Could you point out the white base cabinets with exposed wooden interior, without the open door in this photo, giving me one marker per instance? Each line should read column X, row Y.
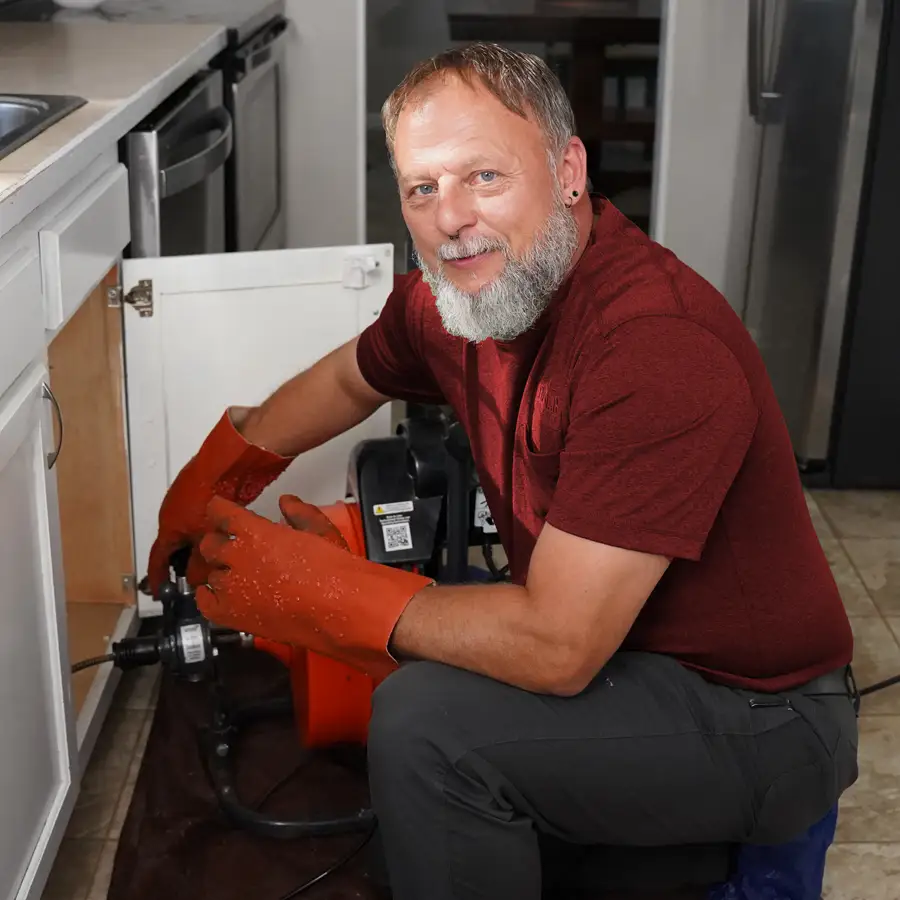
column 66, row 555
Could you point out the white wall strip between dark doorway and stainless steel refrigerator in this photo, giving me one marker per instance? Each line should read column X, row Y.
column 707, row 144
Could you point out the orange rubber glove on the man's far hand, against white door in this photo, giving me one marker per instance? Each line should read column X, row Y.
column 226, row 465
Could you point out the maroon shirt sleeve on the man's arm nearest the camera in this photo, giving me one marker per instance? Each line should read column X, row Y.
column 661, row 416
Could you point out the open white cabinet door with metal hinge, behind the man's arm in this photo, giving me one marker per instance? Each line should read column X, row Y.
column 206, row 332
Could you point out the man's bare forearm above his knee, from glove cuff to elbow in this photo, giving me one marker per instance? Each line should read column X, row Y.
column 495, row 630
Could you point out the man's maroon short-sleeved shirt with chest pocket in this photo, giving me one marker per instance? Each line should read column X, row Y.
column 638, row 413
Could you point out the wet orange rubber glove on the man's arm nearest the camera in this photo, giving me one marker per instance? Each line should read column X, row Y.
column 298, row 588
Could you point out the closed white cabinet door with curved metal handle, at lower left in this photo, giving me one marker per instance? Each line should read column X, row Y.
column 36, row 746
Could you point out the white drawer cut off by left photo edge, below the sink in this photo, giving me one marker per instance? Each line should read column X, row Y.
column 21, row 314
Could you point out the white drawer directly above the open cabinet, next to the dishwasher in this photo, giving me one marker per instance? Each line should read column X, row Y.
column 81, row 245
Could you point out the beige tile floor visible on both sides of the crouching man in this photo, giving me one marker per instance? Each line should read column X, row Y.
column 861, row 534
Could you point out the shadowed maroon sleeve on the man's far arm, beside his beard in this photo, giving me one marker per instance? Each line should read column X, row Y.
column 391, row 353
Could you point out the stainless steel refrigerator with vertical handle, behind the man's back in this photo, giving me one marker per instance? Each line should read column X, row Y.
column 811, row 87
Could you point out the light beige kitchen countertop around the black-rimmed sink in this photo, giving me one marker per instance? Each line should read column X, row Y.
column 123, row 71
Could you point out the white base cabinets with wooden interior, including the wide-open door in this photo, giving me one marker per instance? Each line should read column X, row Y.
column 126, row 390
